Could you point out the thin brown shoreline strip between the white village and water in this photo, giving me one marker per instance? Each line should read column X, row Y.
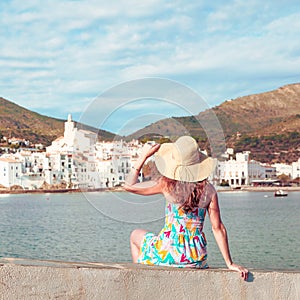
column 120, row 189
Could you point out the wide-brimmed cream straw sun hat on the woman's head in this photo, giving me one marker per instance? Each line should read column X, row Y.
column 183, row 161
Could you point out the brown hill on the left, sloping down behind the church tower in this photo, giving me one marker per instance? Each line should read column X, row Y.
column 17, row 121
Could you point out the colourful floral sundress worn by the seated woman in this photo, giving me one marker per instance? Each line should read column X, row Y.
column 181, row 242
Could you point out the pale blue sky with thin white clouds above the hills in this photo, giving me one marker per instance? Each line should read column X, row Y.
column 59, row 57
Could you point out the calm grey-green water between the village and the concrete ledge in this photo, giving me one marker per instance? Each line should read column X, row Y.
column 263, row 230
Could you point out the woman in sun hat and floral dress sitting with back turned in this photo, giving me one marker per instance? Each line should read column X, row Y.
column 189, row 195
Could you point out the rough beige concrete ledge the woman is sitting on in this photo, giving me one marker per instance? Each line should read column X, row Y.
column 30, row 279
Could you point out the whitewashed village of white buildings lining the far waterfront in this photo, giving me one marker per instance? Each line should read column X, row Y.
column 77, row 160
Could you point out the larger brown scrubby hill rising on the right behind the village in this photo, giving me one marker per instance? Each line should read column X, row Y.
column 267, row 124
